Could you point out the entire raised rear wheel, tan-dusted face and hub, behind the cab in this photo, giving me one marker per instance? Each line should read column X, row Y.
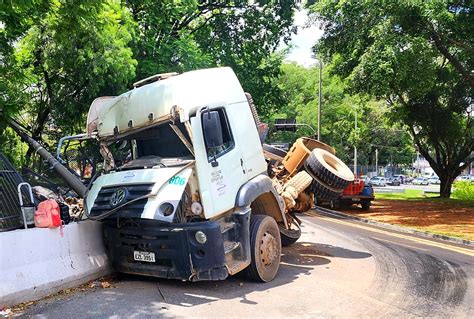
column 329, row 169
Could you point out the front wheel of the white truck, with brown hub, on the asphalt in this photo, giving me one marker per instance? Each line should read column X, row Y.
column 260, row 269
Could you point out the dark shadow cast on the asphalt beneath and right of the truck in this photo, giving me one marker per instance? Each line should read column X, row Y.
column 297, row 260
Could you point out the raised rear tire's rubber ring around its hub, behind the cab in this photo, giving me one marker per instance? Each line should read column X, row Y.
column 324, row 174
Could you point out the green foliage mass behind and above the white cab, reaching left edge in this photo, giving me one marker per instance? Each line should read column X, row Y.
column 58, row 55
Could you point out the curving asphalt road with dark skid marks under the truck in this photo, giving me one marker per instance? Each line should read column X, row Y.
column 338, row 269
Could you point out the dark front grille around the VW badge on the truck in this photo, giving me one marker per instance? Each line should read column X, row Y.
column 135, row 209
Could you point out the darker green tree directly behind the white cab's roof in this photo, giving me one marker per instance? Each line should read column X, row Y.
column 185, row 35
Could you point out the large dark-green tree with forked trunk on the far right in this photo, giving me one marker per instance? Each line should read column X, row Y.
column 419, row 57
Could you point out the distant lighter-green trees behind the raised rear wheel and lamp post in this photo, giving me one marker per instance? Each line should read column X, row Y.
column 300, row 92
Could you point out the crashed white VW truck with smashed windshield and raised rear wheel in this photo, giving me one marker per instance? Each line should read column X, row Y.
column 189, row 191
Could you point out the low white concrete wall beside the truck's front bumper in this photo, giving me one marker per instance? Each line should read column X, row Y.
column 37, row 262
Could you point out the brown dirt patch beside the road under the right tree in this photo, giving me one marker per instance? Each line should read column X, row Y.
column 434, row 215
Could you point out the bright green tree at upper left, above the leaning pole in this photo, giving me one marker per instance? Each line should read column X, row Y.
column 72, row 54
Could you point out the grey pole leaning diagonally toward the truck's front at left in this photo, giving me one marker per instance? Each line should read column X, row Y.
column 73, row 181
